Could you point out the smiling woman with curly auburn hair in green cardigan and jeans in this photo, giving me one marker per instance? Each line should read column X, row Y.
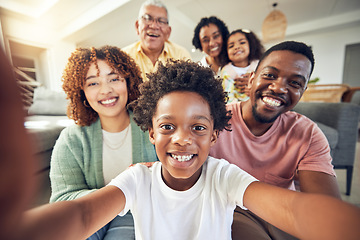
column 100, row 83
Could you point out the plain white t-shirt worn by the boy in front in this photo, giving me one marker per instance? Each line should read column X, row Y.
column 205, row 211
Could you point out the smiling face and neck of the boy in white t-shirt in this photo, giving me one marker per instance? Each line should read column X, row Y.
column 182, row 132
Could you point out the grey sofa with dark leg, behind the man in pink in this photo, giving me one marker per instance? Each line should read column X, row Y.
column 340, row 124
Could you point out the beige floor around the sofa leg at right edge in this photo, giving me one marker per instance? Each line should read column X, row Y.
column 354, row 197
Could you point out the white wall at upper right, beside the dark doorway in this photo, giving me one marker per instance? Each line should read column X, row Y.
column 329, row 50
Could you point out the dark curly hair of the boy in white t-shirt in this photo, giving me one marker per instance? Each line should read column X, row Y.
column 181, row 75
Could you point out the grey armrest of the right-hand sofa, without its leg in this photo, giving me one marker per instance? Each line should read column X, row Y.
column 344, row 117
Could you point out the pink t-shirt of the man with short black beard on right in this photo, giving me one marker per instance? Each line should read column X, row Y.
column 292, row 143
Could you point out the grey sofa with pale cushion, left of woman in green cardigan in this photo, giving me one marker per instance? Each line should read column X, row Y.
column 45, row 120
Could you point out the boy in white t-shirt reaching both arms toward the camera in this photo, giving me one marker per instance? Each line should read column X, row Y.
column 189, row 195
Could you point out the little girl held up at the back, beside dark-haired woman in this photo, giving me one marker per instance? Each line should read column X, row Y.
column 244, row 50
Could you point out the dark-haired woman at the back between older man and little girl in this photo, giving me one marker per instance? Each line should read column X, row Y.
column 209, row 36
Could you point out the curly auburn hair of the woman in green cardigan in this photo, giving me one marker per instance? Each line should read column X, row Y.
column 75, row 74
